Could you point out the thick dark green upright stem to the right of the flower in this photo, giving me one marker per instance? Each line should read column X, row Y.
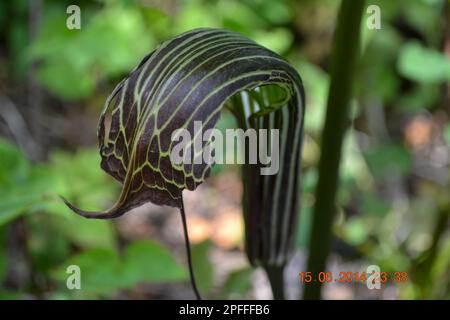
column 343, row 62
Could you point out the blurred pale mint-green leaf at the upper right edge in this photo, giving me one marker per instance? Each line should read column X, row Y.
column 422, row 64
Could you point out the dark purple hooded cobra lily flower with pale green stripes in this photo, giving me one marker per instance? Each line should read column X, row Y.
column 192, row 77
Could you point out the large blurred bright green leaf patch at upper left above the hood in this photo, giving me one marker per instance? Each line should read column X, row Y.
column 72, row 62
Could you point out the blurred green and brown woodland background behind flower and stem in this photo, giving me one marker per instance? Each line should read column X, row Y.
column 394, row 196
